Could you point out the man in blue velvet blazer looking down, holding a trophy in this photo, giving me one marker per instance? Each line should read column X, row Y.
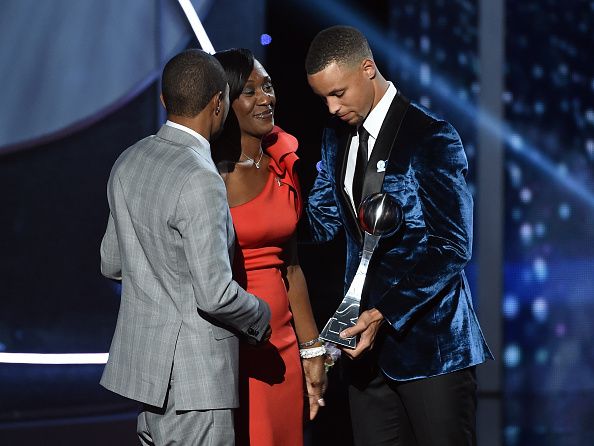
column 412, row 375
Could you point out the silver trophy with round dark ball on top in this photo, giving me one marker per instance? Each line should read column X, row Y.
column 379, row 214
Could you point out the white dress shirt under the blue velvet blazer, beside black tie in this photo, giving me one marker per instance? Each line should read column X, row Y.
column 373, row 124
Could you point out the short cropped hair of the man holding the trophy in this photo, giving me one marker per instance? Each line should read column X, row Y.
column 343, row 45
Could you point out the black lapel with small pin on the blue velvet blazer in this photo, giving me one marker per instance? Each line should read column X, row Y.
column 378, row 162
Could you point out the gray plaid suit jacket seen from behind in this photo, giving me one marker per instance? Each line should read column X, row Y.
column 169, row 238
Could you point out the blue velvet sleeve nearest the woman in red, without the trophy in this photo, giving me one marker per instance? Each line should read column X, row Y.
column 322, row 210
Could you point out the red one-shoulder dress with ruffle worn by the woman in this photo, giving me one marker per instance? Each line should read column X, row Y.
column 271, row 388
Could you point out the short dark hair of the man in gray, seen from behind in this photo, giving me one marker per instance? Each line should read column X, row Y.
column 190, row 80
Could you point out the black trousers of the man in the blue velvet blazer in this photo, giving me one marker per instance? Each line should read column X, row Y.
column 437, row 411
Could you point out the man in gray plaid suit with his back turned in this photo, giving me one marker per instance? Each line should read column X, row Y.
column 169, row 238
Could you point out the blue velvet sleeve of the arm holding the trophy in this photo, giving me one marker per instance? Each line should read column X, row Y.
column 440, row 167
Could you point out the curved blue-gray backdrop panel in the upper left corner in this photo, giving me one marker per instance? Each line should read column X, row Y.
column 64, row 61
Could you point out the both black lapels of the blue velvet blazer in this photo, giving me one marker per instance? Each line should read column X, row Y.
column 374, row 175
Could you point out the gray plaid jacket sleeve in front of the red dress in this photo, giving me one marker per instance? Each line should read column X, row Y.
column 202, row 217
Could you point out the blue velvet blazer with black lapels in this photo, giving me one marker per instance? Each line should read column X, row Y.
column 416, row 277
